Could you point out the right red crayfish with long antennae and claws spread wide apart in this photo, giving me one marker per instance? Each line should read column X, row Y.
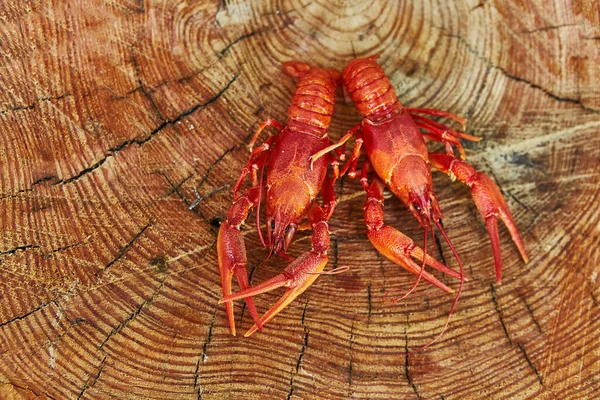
column 395, row 148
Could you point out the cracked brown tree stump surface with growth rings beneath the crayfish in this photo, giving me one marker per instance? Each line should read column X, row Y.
column 112, row 112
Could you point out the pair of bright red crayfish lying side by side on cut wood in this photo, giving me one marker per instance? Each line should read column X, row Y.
column 297, row 161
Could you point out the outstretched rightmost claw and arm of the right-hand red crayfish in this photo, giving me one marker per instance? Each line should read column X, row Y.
column 489, row 201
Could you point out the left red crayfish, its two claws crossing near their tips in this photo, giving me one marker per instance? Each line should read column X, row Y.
column 289, row 189
